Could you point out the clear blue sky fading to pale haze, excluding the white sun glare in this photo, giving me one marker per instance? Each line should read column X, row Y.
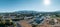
column 34, row 5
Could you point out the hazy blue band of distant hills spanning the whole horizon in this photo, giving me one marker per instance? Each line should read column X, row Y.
column 30, row 12
